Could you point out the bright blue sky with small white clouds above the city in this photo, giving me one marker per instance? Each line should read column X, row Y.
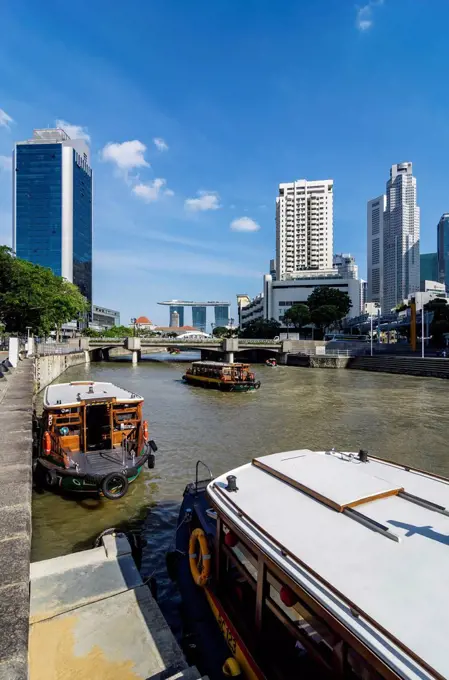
column 239, row 95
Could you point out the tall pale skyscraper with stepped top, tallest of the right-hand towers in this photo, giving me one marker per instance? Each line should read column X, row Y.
column 401, row 237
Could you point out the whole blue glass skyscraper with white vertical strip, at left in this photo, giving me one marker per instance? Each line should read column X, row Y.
column 52, row 205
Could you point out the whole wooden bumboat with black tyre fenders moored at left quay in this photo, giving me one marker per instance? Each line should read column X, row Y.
column 92, row 438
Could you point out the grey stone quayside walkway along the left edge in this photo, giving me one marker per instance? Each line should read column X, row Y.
column 16, row 392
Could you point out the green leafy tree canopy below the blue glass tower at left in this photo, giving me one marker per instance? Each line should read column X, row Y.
column 32, row 296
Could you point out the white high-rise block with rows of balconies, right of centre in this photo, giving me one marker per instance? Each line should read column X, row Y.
column 304, row 226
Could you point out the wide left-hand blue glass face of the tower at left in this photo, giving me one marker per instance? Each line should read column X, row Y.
column 38, row 206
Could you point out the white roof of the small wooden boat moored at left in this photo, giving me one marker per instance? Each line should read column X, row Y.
column 69, row 394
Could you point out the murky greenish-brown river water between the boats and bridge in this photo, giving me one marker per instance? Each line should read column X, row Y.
column 402, row 418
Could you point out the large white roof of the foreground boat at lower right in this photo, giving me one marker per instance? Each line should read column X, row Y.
column 369, row 540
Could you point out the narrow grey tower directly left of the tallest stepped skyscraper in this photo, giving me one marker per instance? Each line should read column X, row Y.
column 375, row 249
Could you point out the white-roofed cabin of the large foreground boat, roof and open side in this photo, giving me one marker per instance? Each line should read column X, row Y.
column 332, row 559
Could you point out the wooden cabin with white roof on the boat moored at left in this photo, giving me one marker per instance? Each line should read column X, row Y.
column 89, row 416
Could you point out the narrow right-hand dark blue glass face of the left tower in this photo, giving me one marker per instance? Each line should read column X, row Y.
column 82, row 226
